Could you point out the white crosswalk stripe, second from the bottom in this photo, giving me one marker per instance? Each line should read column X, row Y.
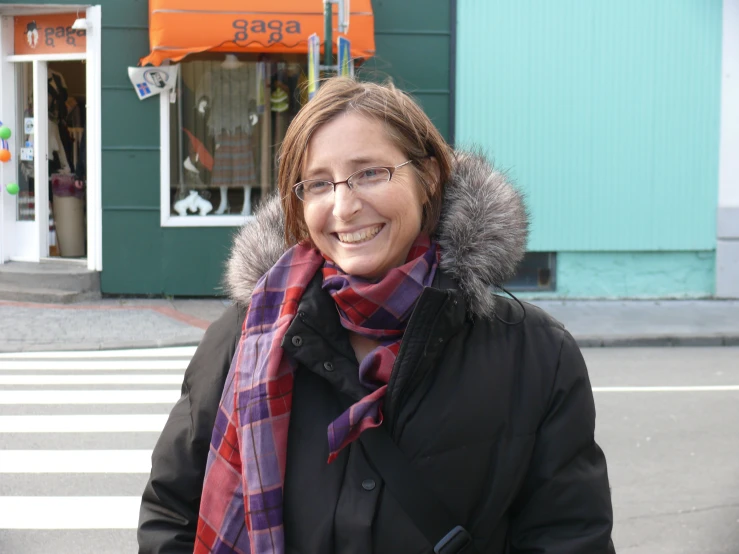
column 75, row 461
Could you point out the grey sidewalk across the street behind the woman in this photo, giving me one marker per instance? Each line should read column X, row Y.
column 113, row 323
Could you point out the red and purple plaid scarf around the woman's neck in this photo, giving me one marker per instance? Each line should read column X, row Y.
column 241, row 504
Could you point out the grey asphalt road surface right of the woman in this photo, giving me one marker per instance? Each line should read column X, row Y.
column 673, row 453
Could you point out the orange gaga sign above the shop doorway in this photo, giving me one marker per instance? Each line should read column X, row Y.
column 48, row 34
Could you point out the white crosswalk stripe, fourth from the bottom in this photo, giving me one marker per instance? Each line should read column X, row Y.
column 89, row 396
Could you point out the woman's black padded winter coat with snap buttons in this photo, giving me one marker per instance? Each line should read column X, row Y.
column 497, row 419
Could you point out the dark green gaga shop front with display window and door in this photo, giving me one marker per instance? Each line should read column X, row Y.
column 172, row 177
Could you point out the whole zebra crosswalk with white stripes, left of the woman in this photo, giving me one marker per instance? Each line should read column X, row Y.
column 38, row 379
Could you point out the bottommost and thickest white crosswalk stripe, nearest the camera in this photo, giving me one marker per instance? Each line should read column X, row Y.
column 69, row 512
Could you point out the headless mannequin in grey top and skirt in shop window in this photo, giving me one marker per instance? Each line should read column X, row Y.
column 225, row 91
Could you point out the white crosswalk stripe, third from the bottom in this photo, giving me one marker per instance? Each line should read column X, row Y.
column 93, row 423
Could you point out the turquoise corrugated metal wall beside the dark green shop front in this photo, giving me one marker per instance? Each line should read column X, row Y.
column 606, row 113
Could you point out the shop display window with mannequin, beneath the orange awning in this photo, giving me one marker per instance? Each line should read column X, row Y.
column 225, row 128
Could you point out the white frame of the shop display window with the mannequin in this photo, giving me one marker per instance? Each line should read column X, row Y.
column 167, row 218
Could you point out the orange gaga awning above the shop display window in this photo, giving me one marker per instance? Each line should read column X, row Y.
column 181, row 27
